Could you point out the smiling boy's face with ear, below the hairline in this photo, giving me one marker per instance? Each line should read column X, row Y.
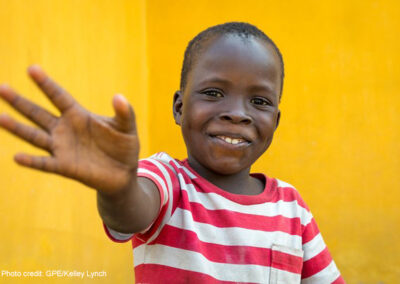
column 228, row 110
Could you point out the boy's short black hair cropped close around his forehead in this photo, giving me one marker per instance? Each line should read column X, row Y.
column 241, row 29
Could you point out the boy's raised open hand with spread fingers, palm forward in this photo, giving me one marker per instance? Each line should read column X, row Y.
column 99, row 151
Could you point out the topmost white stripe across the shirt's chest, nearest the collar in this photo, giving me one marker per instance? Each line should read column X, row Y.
column 214, row 201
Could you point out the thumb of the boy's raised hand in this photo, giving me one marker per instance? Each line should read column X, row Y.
column 124, row 114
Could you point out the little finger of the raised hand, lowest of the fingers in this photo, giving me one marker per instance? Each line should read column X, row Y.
column 42, row 163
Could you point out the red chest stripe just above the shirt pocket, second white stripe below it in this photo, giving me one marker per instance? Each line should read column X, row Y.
column 226, row 218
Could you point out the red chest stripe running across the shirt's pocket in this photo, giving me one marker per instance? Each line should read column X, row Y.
column 188, row 240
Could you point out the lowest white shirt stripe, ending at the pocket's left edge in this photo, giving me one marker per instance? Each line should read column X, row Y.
column 194, row 261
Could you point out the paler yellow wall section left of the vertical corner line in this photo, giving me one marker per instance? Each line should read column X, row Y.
column 95, row 49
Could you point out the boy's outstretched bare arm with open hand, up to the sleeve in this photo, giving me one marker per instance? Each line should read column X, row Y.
column 101, row 152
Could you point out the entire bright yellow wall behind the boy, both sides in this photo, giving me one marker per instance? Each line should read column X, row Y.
column 336, row 142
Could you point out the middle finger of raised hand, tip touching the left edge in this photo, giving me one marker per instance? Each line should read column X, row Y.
column 30, row 110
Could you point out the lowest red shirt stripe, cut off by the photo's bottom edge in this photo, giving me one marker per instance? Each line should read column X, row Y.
column 153, row 273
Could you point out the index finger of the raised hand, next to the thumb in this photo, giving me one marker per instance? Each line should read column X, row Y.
column 57, row 95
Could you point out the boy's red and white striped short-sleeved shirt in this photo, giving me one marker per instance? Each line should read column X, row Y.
column 204, row 234
